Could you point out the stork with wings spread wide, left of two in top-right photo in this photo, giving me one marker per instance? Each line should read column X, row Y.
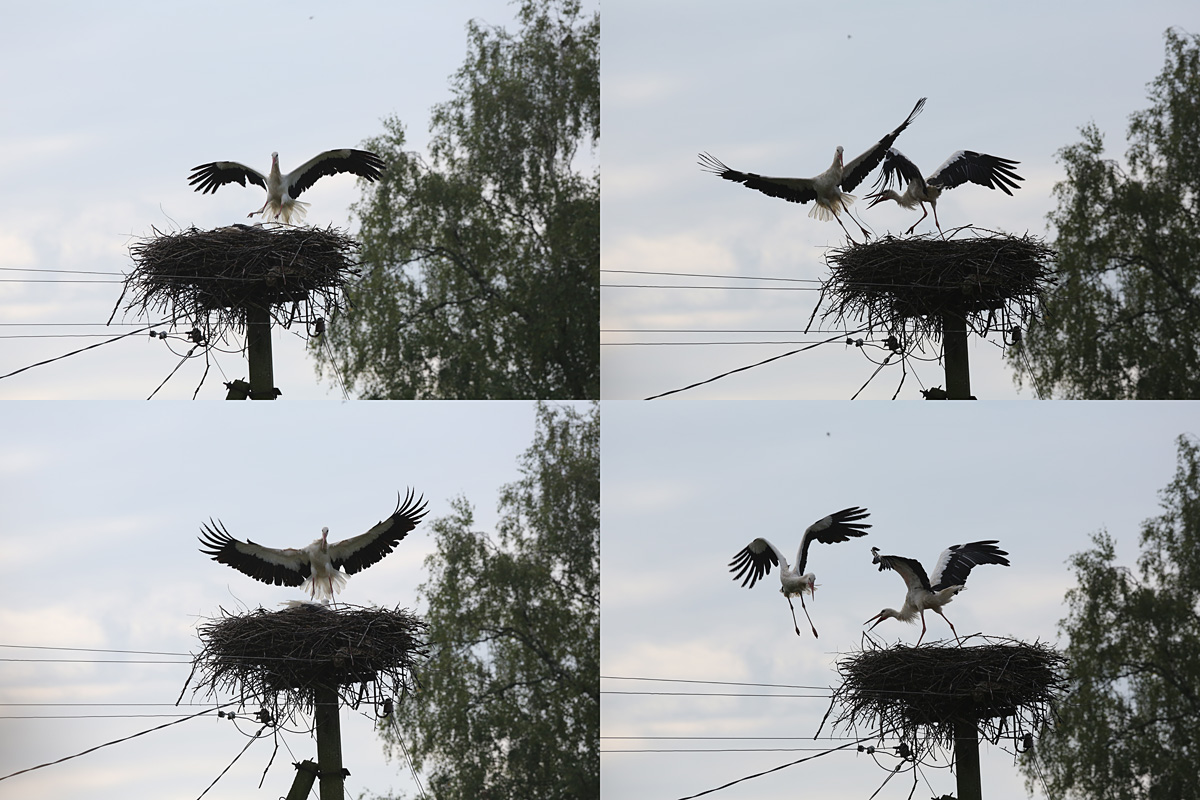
column 830, row 189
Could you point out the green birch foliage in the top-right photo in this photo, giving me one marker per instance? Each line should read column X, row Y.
column 1125, row 321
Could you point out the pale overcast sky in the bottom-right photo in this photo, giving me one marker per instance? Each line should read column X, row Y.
column 687, row 486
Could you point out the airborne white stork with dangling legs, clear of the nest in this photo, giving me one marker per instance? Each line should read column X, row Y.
column 755, row 560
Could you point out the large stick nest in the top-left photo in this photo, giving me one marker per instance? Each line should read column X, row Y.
column 213, row 276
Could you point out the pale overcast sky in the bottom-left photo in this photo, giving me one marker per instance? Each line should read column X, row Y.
column 100, row 509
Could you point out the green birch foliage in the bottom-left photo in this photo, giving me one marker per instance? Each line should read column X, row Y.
column 509, row 705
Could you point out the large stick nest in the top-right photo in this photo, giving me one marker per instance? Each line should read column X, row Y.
column 904, row 286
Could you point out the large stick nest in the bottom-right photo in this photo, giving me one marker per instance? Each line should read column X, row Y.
column 917, row 694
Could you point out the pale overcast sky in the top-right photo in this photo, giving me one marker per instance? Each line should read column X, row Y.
column 773, row 88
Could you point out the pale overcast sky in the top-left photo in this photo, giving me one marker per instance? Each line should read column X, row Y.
column 105, row 109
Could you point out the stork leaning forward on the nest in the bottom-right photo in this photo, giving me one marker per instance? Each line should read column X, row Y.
column 950, row 579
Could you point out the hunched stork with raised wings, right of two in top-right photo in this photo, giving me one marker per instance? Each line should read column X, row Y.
column 965, row 166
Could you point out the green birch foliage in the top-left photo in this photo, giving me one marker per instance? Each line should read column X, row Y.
column 483, row 269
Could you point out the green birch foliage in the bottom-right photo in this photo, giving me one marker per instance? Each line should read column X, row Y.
column 1131, row 726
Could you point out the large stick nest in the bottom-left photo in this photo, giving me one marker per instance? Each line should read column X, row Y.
column 277, row 659
